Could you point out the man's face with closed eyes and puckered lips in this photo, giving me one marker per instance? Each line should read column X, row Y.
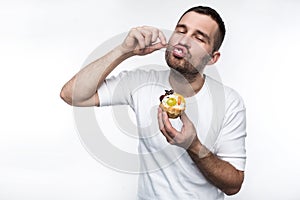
column 190, row 47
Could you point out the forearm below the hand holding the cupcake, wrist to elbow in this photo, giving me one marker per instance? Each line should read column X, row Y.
column 220, row 173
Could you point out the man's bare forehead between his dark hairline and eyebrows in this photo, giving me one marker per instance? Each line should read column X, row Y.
column 196, row 21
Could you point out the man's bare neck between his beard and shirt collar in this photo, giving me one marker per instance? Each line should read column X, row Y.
column 186, row 87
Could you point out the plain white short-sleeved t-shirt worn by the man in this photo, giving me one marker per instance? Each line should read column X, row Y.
column 167, row 171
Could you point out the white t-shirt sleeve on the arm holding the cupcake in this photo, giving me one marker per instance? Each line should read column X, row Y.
column 231, row 142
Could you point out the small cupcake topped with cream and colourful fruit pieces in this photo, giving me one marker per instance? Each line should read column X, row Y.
column 173, row 103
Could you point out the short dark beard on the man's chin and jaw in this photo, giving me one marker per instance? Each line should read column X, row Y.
column 183, row 67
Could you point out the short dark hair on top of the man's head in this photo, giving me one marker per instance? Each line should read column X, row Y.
column 216, row 17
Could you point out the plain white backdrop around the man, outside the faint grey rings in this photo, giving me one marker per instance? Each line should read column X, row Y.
column 43, row 43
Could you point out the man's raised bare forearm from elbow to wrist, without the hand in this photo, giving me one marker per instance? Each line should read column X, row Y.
column 83, row 86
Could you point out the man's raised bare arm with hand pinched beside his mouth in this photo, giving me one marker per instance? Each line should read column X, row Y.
column 81, row 89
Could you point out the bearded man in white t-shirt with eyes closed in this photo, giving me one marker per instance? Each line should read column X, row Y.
column 195, row 169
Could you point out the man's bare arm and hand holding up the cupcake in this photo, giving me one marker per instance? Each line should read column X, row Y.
column 219, row 172
